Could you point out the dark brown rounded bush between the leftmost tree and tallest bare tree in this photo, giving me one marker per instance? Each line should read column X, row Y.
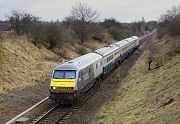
column 46, row 34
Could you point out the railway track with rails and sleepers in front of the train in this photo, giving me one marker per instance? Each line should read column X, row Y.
column 61, row 113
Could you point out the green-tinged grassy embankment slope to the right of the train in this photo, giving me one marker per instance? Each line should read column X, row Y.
column 147, row 96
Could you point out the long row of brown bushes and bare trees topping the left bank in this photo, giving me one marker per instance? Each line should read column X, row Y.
column 80, row 26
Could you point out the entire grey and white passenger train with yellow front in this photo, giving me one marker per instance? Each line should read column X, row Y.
column 72, row 79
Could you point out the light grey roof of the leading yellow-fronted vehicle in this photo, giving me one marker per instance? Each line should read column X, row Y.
column 80, row 62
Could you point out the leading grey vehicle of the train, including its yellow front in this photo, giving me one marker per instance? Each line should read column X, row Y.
column 73, row 78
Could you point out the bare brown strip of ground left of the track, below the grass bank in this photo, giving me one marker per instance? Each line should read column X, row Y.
column 18, row 101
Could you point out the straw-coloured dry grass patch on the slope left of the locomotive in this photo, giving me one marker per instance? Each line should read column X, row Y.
column 23, row 65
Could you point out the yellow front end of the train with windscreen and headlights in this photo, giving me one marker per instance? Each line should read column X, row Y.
column 63, row 85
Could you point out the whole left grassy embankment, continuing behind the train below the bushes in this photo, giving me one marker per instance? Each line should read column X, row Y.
column 24, row 65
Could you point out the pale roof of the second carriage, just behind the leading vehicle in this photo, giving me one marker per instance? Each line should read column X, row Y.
column 106, row 50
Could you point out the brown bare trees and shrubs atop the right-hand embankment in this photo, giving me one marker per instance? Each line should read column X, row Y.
column 168, row 32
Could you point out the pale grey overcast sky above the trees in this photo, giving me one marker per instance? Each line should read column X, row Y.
column 122, row 10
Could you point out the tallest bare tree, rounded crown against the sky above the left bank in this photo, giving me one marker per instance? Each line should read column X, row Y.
column 81, row 16
